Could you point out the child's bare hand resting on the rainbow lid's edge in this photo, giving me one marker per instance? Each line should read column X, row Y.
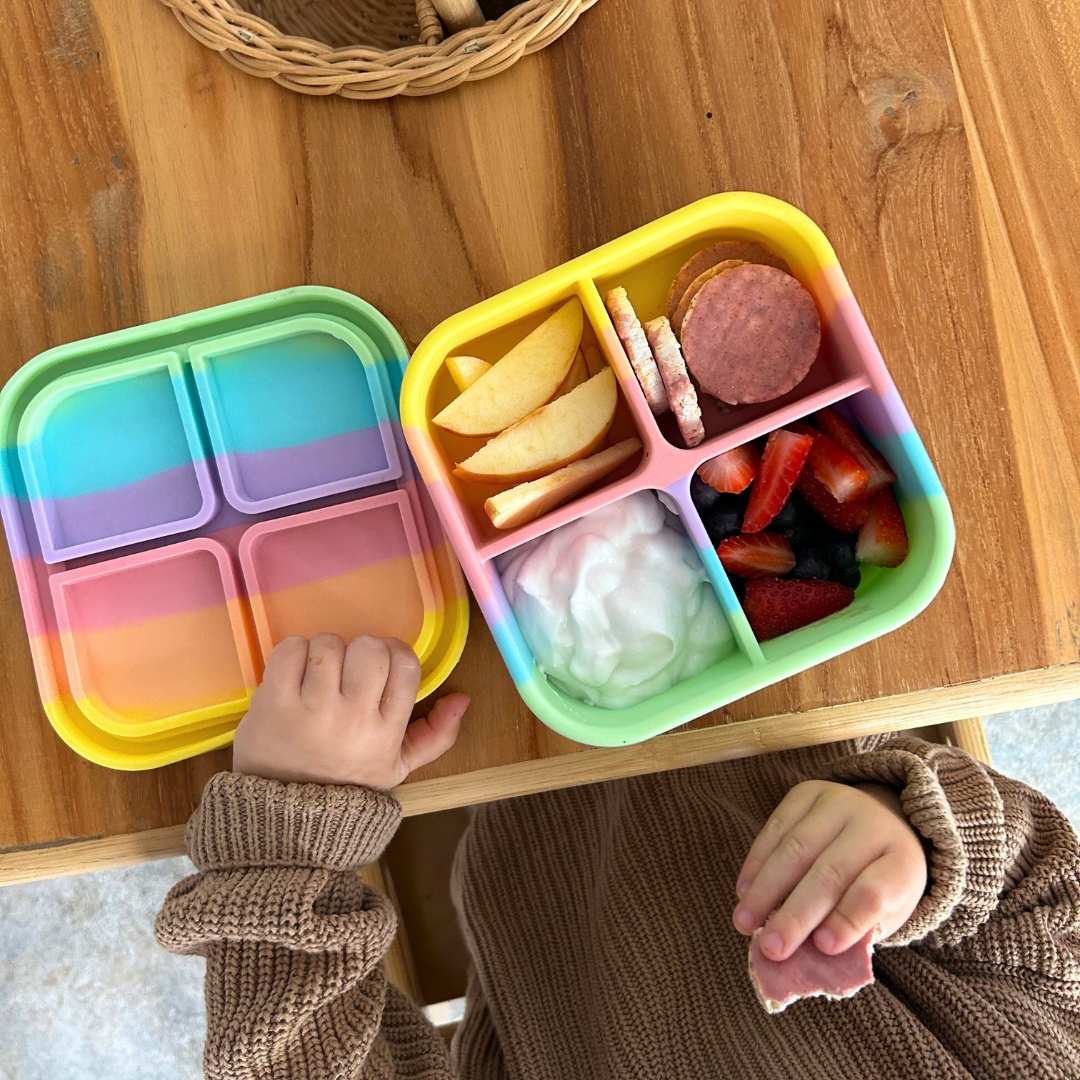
column 327, row 714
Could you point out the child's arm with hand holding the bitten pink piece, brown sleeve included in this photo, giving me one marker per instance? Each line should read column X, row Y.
column 992, row 917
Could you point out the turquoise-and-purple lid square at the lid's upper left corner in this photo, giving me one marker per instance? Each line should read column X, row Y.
column 112, row 457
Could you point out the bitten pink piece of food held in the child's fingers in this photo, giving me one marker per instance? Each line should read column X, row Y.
column 808, row 974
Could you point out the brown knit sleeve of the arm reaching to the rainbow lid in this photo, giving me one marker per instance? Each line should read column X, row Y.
column 293, row 939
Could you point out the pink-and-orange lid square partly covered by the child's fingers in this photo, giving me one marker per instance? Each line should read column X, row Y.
column 350, row 570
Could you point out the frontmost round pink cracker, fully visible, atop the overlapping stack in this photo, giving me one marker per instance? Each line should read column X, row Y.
column 751, row 335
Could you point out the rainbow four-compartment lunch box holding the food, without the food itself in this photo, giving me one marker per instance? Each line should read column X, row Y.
column 849, row 374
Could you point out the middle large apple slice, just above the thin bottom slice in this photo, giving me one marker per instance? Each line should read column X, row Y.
column 564, row 431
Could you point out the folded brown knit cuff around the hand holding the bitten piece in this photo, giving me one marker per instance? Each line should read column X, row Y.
column 952, row 803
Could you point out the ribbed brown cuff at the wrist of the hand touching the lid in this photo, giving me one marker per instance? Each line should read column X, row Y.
column 248, row 821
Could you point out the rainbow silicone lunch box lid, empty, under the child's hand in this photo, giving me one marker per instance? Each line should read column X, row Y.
column 179, row 497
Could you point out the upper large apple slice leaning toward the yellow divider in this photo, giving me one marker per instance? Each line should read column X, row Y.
column 526, row 379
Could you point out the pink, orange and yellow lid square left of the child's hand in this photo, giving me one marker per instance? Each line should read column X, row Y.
column 156, row 641
